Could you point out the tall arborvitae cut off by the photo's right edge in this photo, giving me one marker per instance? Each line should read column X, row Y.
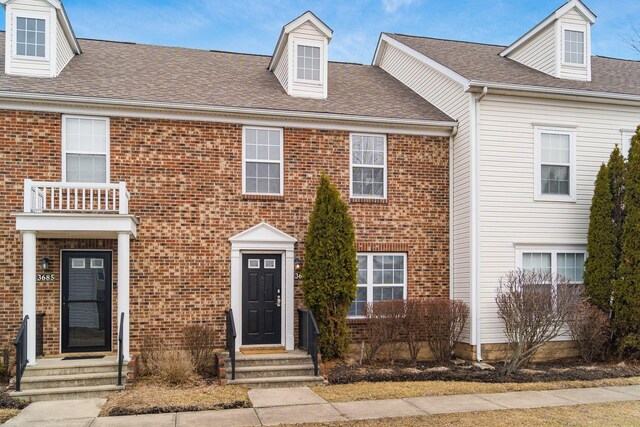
column 627, row 289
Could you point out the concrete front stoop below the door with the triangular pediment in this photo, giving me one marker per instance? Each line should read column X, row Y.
column 289, row 369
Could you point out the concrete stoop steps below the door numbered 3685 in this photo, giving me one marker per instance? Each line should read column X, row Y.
column 57, row 379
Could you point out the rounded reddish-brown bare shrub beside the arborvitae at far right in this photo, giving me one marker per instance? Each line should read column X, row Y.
column 591, row 329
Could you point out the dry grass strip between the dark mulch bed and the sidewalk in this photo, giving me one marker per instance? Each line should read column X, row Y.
column 400, row 390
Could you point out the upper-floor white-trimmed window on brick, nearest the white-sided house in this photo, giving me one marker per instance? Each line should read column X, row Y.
column 368, row 166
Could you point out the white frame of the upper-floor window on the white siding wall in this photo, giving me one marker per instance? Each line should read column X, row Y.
column 537, row 172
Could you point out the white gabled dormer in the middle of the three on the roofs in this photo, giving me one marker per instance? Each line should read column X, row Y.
column 301, row 57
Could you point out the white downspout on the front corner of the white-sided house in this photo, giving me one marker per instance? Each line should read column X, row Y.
column 476, row 219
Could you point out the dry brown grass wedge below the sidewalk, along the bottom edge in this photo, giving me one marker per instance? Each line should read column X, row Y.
column 609, row 414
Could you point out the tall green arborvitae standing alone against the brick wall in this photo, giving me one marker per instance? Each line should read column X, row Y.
column 330, row 269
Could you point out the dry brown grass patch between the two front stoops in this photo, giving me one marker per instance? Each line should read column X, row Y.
column 147, row 397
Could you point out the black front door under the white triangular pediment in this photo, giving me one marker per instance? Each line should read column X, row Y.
column 261, row 299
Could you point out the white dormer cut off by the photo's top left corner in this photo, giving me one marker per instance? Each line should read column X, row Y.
column 39, row 40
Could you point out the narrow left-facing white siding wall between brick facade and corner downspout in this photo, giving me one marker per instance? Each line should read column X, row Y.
column 450, row 97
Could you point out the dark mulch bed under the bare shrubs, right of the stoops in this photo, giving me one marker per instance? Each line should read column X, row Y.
column 564, row 370
